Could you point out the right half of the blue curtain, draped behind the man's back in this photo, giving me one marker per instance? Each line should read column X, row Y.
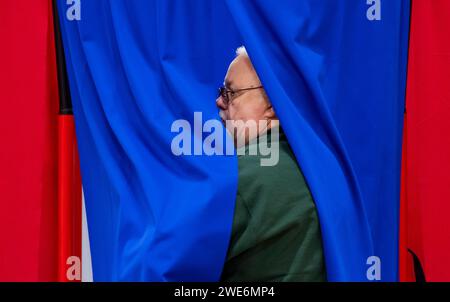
column 337, row 82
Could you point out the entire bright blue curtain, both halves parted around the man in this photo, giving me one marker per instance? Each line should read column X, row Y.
column 335, row 78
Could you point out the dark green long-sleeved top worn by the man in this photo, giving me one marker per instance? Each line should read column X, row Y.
column 275, row 234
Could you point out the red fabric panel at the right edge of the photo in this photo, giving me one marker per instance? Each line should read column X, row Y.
column 425, row 205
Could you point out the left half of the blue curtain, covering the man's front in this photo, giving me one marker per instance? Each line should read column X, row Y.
column 135, row 67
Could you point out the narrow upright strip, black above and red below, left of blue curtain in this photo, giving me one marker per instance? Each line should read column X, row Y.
column 69, row 179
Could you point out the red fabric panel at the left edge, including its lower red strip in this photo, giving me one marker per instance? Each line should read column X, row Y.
column 39, row 179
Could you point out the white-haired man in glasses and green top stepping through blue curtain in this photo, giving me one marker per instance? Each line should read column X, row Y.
column 275, row 233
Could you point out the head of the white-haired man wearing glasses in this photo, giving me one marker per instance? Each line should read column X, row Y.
column 244, row 100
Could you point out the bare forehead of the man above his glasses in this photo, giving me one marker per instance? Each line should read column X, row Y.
column 240, row 72
